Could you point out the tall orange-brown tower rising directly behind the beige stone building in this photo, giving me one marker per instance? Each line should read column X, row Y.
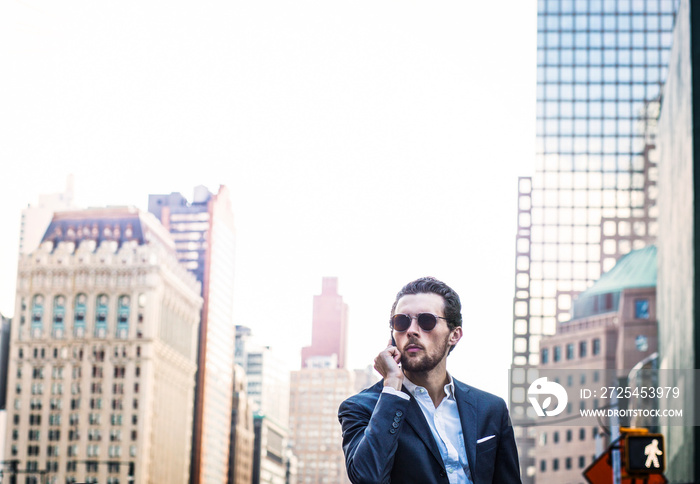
column 204, row 237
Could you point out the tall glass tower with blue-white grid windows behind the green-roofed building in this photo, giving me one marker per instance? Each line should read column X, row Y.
column 601, row 68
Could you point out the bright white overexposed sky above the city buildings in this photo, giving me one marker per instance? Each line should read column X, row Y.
column 376, row 142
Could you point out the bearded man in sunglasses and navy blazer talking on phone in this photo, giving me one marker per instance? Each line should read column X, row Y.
column 420, row 425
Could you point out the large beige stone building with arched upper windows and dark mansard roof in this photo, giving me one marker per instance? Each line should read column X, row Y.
column 103, row 355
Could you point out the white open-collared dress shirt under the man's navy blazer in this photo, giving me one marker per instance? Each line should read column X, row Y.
column 446, row 427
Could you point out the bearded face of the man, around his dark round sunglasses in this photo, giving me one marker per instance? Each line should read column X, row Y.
column 422, row 351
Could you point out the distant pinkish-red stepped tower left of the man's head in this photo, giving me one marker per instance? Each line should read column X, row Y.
column 329, row 332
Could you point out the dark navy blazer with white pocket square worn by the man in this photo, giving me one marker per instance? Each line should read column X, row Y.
column 387, row 439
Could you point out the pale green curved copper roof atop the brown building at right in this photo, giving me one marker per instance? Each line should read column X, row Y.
column 636, row 269
